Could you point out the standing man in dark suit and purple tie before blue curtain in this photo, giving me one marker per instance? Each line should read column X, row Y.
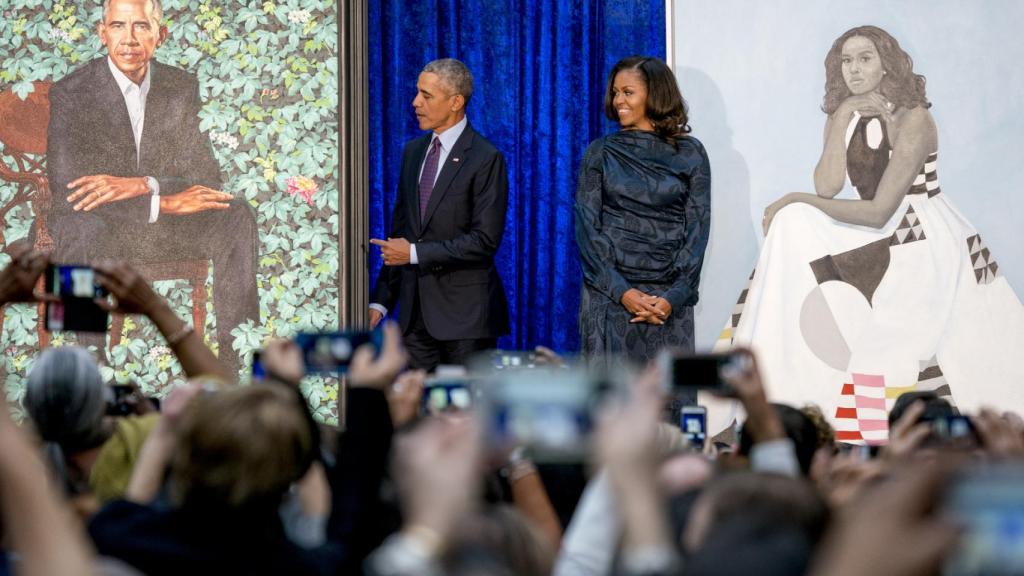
column 448, row 225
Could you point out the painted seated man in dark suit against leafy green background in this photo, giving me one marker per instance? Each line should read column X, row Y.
column 133, row 176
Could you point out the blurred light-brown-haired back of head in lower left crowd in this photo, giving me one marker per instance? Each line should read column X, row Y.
column 241, row 448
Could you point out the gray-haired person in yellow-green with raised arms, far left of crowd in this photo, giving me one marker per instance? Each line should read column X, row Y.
column 66, row 399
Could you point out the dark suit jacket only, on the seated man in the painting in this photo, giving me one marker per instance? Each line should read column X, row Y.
column 91, row 134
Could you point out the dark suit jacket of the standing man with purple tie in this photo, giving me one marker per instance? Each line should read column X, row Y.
column 459, row 291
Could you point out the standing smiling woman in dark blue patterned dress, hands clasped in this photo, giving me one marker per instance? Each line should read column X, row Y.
column 643, row 219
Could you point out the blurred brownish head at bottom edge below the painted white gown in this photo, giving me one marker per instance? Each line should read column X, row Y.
column 774, row 520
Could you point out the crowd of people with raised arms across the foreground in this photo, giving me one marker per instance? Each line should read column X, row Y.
column 235, row 479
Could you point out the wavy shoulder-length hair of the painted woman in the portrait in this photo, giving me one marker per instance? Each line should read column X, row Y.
column 900, row 85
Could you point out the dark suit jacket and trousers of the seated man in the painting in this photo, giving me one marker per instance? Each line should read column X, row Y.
column 91, row 134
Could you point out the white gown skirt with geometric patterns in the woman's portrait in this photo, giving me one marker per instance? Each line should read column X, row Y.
column 849, row 317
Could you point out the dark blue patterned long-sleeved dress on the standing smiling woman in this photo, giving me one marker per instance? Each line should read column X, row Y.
column 643, row 220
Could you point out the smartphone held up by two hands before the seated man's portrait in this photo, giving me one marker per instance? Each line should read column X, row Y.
column 77, row 289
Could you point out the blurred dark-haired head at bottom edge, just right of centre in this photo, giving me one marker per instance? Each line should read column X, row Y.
column 498, row 542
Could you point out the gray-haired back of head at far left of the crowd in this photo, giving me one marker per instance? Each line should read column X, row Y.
column 66, row 401
